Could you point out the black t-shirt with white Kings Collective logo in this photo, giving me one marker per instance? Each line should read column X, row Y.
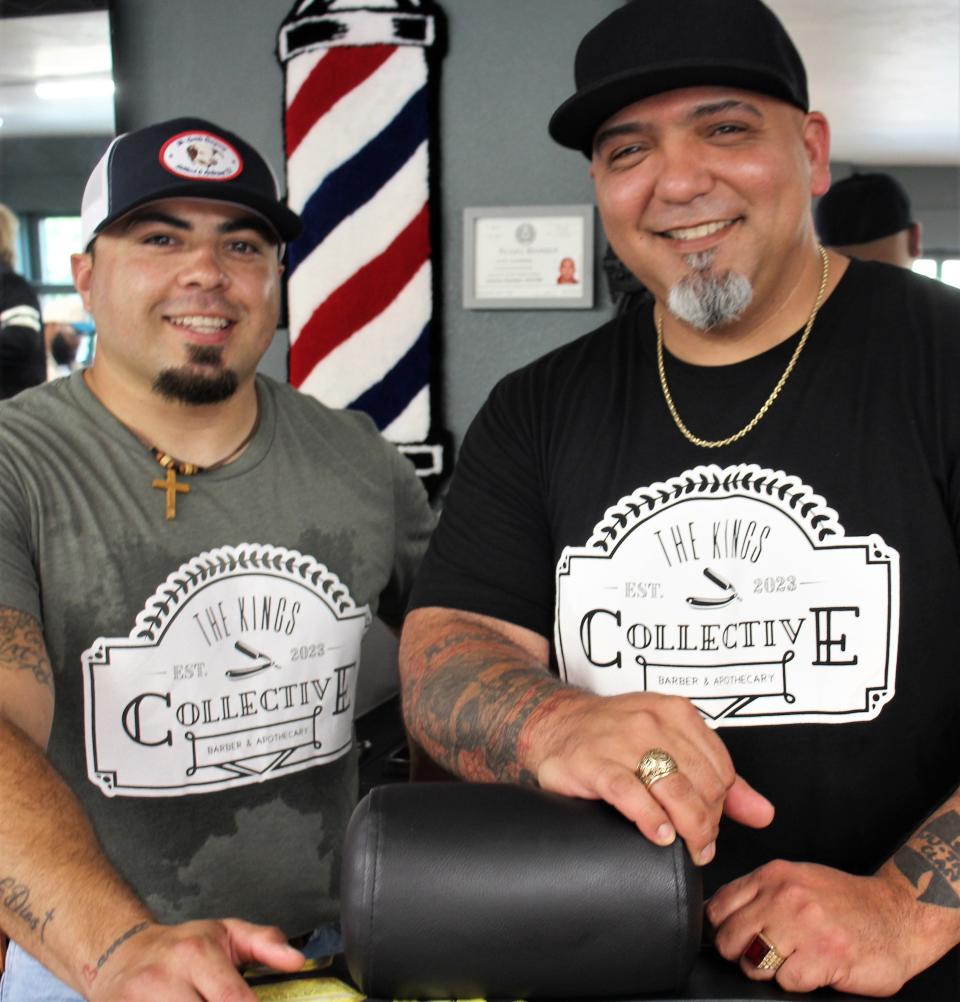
column 801, row 586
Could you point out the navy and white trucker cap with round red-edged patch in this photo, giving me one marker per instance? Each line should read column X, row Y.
column 182, row 159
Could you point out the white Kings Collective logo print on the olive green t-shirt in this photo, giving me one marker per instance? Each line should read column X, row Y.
column 241, row 668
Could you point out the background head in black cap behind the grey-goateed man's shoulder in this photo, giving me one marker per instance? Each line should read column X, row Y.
column 869, row 217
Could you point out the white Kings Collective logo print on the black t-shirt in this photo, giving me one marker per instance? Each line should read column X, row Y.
column 738, row 589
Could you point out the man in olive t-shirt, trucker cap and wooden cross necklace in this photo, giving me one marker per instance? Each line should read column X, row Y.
column 191, row 555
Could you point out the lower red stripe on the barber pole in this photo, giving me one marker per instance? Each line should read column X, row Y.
column 362, row 298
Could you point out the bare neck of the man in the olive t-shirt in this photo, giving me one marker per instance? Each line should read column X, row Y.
column 199, row 434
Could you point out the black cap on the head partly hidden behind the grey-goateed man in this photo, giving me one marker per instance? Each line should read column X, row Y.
column 861, row 209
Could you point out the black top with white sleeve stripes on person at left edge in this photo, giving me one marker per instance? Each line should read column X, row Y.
column 24, row 361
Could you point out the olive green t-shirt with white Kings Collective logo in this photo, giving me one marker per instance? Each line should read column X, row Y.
column 206, row 667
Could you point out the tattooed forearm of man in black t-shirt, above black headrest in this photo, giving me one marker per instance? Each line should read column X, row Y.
column 473, row 697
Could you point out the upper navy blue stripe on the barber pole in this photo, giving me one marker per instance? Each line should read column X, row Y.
column 357, row 181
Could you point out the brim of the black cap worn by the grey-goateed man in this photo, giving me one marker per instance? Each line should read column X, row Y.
column 577, row 121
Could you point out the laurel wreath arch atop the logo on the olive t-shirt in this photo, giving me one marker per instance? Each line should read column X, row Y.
column 225, row 561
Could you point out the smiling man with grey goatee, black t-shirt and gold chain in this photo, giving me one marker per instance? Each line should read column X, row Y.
column 728, row 522
